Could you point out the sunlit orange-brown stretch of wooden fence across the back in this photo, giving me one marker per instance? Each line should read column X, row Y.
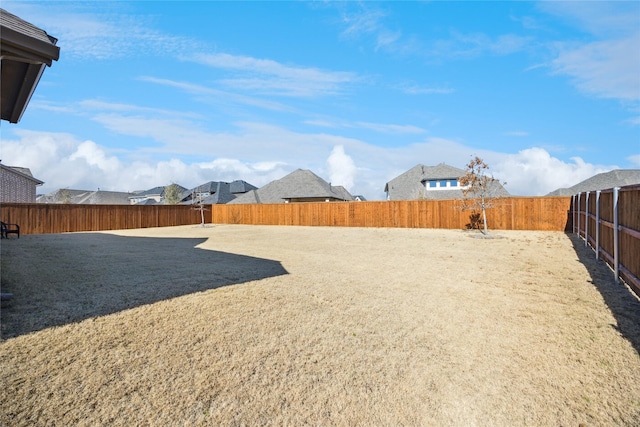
column 514, row 213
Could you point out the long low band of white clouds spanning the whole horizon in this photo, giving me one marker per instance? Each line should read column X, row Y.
column 63, row 161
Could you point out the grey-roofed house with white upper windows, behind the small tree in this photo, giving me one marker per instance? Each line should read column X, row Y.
column 433, row 182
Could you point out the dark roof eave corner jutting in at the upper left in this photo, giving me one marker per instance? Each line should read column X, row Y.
column 26, row 51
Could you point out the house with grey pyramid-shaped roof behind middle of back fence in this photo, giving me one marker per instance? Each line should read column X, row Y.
column 299, row 186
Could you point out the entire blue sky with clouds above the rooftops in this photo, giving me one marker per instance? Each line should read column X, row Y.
column 147, row 93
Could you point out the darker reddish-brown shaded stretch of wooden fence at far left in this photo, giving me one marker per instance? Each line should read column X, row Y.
column 39, row 218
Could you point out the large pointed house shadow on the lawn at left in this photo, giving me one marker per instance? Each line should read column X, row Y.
column 58, row 279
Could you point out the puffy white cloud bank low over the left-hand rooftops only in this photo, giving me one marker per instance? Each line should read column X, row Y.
column 62, row 161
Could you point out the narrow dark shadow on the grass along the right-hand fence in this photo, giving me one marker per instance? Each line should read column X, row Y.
column 622, row 302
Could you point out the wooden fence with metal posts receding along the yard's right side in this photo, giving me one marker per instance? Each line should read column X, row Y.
column 609, row 222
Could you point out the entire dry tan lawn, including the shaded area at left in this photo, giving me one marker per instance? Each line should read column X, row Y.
column 266, row 325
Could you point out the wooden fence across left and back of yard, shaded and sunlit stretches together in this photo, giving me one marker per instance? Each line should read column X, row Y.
column 516, row 213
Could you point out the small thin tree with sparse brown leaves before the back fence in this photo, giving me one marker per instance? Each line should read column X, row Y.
column 479, row 190
